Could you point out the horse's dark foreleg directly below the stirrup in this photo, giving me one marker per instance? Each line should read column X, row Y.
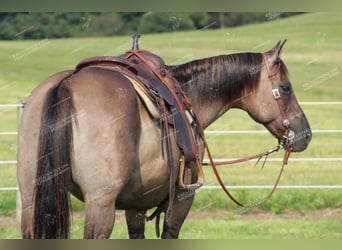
column 180, row 209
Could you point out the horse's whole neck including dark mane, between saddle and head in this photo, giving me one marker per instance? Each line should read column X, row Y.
column 216, row 84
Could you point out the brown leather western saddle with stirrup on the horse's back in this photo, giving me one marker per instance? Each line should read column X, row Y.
column 160, row 92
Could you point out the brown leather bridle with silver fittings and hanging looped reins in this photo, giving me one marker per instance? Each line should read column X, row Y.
column 286, row 141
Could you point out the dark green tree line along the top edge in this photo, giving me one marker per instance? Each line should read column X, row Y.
column 16, row 26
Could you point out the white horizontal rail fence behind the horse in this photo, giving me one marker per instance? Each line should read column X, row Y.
column 339, row 159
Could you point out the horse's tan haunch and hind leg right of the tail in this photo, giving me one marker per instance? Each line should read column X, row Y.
column 104, row 144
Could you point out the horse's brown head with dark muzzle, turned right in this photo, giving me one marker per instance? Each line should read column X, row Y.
column 274, row 104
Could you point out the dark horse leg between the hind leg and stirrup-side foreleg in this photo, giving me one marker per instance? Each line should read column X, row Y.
column 135, row 223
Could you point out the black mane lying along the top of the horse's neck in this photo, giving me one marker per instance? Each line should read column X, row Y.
column 229, row 75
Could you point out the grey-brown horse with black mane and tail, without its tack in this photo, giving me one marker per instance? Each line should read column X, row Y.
column 97, row 141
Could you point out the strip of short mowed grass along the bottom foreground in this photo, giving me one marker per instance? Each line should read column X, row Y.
column 227, row 226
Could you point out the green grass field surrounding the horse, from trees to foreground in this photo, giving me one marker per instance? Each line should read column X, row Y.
column 313, row 55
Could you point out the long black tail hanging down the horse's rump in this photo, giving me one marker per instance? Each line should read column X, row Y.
column 53, row 180
